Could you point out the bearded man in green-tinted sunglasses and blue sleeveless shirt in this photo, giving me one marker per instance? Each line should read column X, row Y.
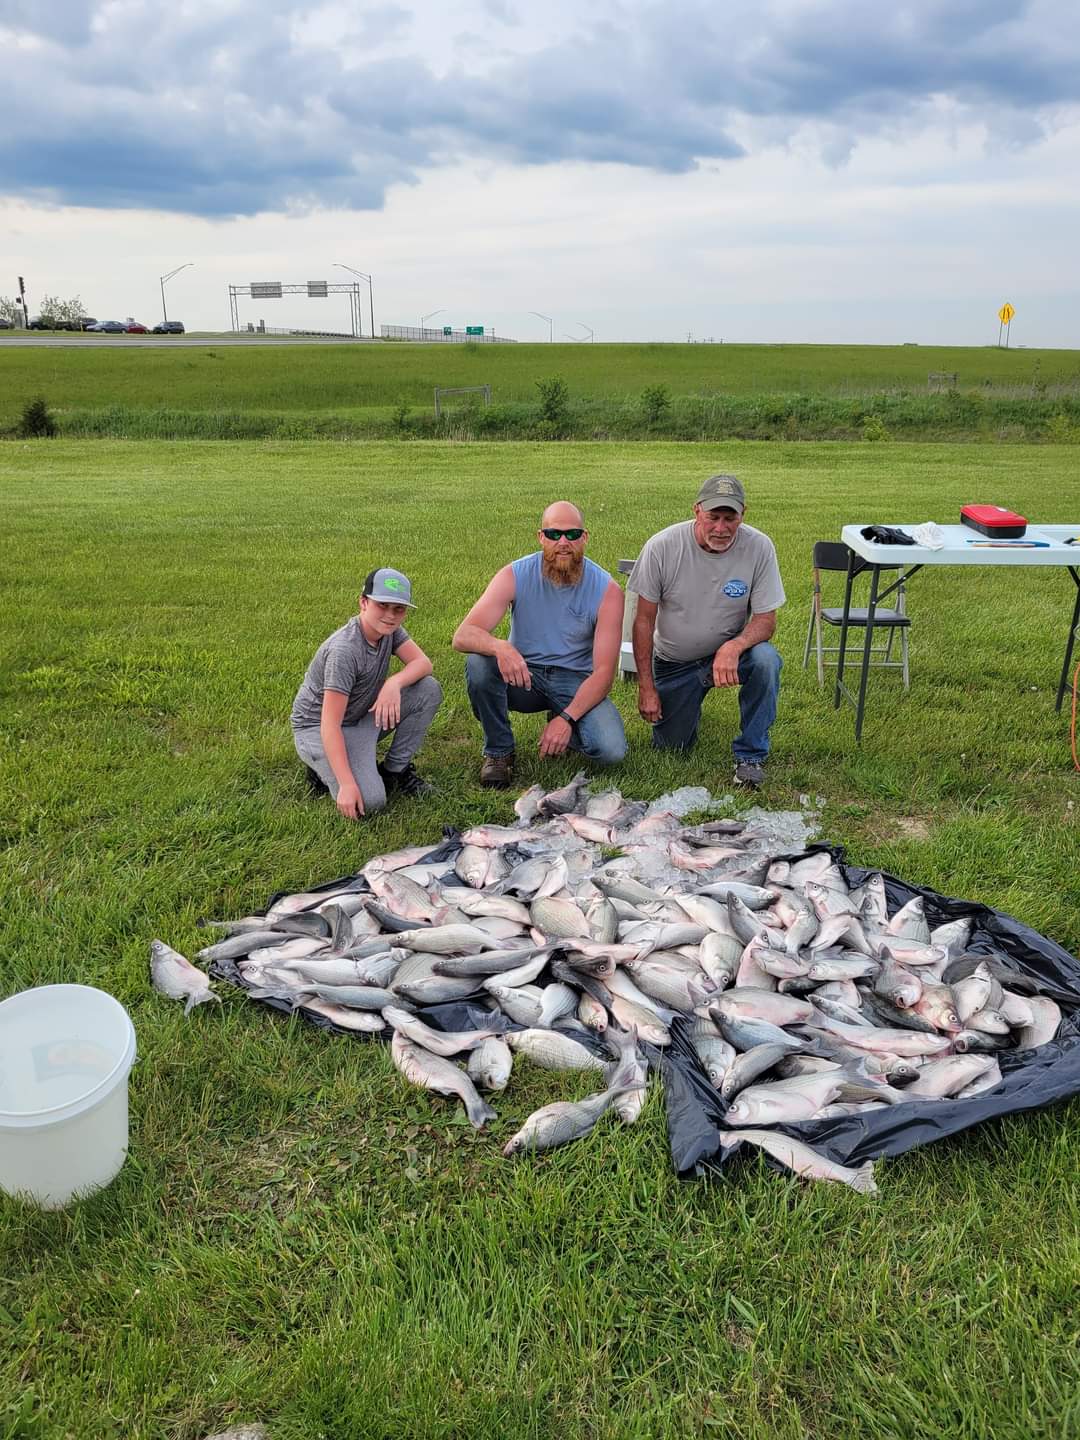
column 565, row 634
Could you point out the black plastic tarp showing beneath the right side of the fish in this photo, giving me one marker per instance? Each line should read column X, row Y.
column 1030, row 1078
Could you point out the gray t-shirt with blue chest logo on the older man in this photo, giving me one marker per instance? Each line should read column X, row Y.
column 705, row 600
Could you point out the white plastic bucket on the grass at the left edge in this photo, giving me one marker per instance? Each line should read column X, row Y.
column 66, row 1058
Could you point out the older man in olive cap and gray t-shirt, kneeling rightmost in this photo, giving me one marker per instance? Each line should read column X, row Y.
column 709, row 591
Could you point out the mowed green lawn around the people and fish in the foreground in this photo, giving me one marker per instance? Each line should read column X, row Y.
column 299, row 1238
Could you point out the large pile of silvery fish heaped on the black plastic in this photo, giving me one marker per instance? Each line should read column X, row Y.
column 801, row 997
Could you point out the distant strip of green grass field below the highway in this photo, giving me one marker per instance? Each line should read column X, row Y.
column 345, row 381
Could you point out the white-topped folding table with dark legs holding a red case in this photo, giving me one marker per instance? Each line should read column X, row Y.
column 1045, row 545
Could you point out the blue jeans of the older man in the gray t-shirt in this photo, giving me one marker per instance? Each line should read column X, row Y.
column 683, row 686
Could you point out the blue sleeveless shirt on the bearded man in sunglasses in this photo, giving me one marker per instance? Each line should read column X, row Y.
column 552, row 624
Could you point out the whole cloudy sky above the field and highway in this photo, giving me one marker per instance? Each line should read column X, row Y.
column 803, row 171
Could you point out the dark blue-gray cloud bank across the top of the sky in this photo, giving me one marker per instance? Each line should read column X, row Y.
column 237, row 109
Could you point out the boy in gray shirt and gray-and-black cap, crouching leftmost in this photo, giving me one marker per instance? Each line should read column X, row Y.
column 349, row 702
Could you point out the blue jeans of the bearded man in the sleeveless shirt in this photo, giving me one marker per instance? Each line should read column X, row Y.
column 598, row 735
